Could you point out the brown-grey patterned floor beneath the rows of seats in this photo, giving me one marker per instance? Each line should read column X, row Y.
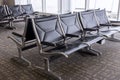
column 78, row 66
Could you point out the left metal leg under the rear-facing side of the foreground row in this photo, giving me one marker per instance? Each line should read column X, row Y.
column 21, row 60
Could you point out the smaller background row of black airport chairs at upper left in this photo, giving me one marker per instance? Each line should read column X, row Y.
column 10, row 14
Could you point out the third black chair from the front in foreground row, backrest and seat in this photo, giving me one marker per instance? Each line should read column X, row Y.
column 89, row 22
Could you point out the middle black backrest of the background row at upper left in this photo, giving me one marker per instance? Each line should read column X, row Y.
column 15, row 10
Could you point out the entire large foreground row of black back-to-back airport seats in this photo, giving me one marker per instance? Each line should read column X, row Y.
column 64, row 35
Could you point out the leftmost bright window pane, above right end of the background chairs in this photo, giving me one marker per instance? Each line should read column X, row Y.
column 37, row 5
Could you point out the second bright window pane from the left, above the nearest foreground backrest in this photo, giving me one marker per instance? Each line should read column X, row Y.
column 52, row 6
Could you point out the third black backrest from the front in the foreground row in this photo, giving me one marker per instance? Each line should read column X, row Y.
column 88, row 19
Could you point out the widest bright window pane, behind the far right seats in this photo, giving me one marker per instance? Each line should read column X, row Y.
column 111, row 6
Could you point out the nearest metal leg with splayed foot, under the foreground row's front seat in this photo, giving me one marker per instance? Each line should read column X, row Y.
column 46, row 71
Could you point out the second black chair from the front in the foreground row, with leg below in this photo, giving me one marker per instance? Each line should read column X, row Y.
column 73, row 28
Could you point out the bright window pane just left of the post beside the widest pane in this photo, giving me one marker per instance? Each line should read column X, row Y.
column 78, row 5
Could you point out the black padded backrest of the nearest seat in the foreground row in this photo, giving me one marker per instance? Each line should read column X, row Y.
column 47, row 29
